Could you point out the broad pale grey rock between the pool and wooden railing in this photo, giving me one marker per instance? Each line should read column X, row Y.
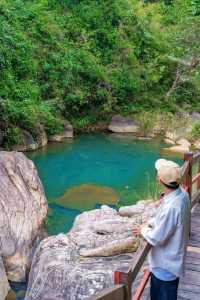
column 60, row 272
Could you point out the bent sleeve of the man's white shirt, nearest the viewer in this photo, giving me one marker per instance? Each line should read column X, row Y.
column 164, row 226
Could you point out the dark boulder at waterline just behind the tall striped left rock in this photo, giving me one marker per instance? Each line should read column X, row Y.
column 28, row 143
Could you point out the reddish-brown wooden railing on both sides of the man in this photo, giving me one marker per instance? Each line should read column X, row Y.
column 123, row 279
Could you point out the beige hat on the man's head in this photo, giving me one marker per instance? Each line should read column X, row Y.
column 168, row 171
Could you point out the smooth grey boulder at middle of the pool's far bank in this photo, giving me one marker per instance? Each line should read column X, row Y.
column 120, row 124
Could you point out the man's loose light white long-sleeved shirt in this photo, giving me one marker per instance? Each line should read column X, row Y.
column 169, row 233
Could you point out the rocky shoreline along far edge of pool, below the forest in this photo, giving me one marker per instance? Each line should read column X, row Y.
column 175, row 132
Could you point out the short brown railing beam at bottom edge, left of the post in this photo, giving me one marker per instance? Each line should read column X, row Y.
column 114, row 293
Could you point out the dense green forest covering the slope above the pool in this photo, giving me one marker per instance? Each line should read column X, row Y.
column 84, row 60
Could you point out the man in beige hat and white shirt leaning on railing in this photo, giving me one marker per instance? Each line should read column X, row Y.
column 168, row 233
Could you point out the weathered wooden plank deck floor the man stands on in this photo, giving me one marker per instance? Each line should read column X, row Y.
column 189, row 287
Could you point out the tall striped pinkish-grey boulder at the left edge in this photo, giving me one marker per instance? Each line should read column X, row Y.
column 23, row 209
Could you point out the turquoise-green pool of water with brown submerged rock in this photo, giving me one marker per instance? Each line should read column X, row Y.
column 95, row 169
